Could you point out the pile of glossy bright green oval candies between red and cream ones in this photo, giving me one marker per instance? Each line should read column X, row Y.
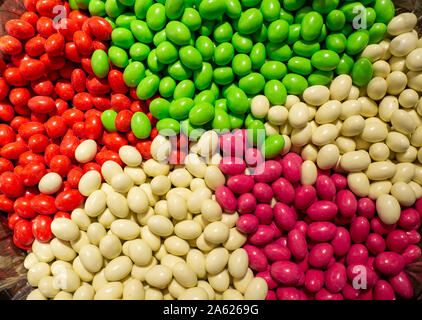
column 207, row 58
